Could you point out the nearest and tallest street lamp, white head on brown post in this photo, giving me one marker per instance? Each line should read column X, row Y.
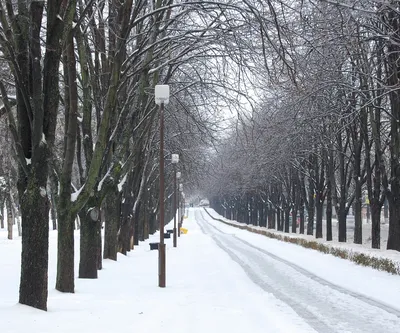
column 161, row 93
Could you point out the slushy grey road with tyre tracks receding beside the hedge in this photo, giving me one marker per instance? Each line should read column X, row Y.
column 324, row 306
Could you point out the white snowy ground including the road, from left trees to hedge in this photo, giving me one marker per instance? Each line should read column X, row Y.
column 219, row 279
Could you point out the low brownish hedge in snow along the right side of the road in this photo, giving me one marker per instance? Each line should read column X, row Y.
column 363, row 259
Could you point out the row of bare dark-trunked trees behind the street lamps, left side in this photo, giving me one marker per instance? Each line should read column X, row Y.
column 77, row 79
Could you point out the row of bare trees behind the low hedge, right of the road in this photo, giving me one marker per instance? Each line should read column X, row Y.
column 326, row 134
